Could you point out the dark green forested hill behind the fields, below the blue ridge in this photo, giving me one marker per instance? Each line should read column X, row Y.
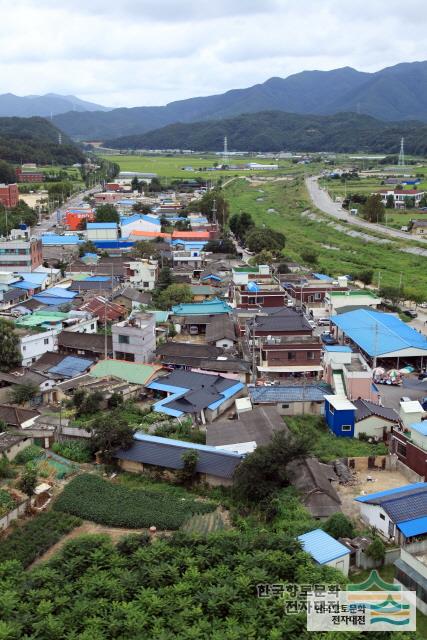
column 276, row 130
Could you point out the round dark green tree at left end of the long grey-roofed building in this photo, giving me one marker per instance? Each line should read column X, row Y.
column 110, row 433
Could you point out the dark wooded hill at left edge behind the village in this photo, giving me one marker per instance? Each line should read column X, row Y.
column 35, row 140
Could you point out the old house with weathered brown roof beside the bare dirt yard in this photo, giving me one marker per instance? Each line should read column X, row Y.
column 313, row 480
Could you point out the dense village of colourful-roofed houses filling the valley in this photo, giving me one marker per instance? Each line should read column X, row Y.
column 162, row 318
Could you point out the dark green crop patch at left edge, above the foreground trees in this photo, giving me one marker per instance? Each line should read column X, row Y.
column 36, row 536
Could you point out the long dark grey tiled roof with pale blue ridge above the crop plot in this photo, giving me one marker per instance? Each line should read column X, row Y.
column 169, row 456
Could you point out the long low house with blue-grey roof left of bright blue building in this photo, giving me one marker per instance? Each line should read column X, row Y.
column 291, row 399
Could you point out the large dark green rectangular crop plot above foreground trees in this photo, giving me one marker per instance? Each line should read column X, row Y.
column 92, row 498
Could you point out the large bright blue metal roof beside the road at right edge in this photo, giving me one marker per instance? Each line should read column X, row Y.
column 379, row 333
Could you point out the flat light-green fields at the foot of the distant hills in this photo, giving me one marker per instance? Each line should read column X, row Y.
column 172, row 166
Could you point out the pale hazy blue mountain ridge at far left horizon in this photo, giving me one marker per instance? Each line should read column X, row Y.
column 45, row 106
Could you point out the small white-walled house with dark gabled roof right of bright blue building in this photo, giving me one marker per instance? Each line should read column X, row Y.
column 373, row 420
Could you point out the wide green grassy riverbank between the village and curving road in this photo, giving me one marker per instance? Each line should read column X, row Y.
column 337, row 252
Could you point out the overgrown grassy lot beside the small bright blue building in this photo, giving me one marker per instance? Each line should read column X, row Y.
column 327, row 446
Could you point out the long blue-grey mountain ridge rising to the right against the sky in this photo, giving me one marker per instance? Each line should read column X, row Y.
column 392, row 94
